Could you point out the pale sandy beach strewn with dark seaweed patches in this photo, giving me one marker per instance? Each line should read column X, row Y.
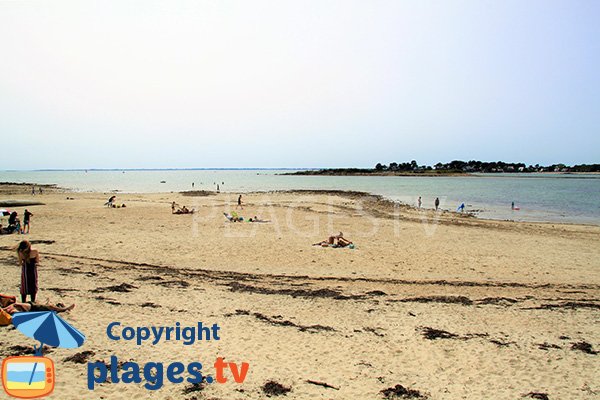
column 447, row 306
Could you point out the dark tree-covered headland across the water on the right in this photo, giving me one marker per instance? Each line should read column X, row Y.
column 454, row 167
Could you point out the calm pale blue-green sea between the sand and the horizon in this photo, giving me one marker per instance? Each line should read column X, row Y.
column 551, row 198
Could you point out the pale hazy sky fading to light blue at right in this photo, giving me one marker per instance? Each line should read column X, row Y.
column 201, row 84
